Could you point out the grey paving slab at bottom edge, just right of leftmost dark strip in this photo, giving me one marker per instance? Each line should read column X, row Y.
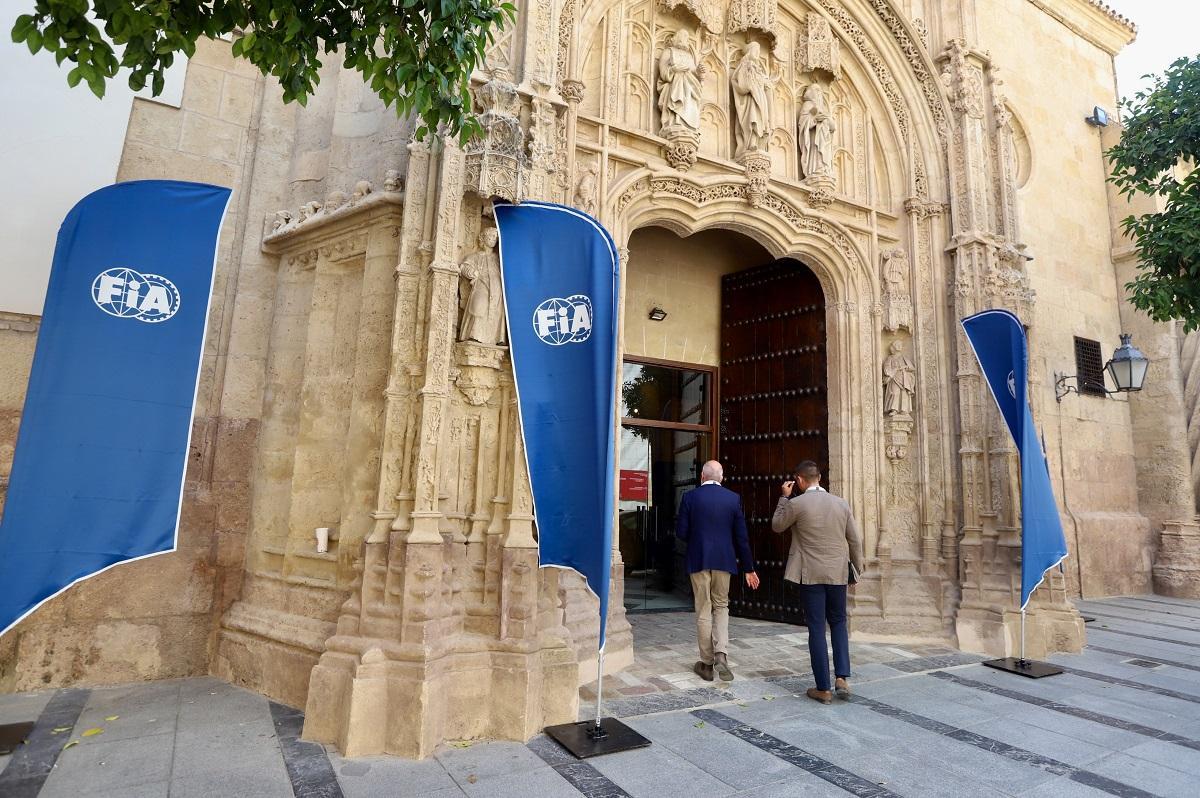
column 98, row 765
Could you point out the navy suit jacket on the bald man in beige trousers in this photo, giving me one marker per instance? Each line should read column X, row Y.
column 712, row 524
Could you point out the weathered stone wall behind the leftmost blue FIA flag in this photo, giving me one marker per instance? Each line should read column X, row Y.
column 154, row 619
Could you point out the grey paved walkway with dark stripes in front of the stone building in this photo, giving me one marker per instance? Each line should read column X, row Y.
column 1125, row 721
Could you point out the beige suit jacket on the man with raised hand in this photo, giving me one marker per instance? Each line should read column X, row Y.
column 825, row 538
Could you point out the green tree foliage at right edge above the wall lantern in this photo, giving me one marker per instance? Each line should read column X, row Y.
column 1157, row 155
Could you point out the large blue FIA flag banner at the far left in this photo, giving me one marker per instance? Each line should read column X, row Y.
column 98, row 476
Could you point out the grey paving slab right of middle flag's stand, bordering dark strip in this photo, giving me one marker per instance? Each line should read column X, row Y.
column 728, row 759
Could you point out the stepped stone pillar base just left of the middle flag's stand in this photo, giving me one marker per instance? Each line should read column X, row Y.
column 388, row 700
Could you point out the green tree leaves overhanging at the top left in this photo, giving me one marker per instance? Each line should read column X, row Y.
column 416, row 55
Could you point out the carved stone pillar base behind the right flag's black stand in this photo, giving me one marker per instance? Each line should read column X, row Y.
column 1049, row 629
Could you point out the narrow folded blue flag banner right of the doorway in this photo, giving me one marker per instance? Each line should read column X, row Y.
column 999, row 341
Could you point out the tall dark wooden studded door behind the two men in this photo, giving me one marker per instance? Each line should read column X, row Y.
column 773, row 411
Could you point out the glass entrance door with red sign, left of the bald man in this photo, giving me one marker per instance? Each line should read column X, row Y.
column 667, row 437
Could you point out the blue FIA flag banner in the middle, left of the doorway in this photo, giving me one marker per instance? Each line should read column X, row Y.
column 561, row 274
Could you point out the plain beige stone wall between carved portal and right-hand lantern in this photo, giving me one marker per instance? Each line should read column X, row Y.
column 1090, row 442
